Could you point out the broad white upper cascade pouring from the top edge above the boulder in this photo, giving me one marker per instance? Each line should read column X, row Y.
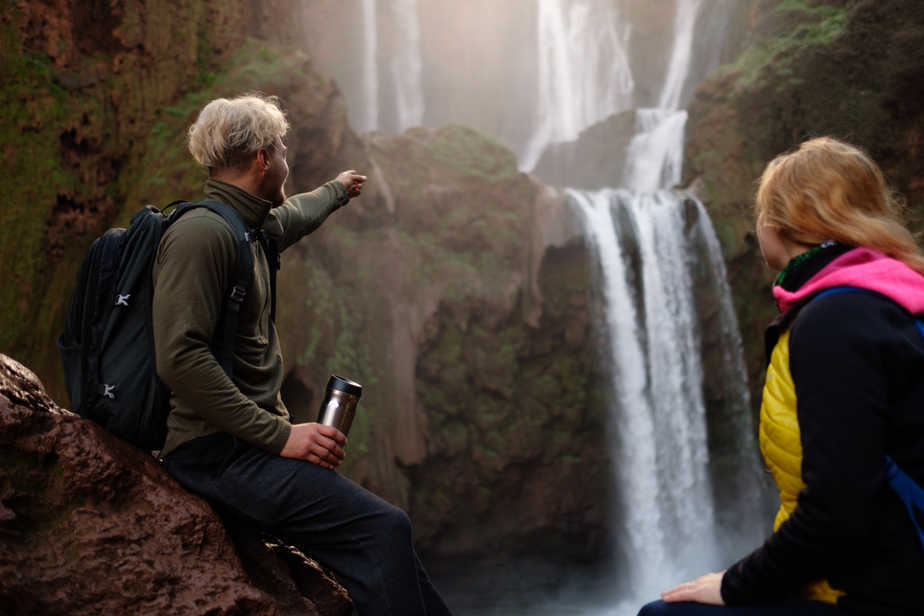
column 584, row 74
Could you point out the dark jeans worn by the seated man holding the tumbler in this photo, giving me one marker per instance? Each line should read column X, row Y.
column 364, row 540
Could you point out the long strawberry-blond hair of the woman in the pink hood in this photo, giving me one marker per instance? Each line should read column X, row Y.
column 830, row 190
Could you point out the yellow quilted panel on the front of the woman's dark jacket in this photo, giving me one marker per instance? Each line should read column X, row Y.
column 782, row 448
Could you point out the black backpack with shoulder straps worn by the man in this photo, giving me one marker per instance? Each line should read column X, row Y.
column 107, row 346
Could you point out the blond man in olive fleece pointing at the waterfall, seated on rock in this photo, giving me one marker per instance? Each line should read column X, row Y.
column 230, row 439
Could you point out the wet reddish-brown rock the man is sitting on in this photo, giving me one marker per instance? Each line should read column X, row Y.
column 92, row 525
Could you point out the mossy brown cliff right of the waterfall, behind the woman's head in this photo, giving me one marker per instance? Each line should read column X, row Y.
column 847, row 68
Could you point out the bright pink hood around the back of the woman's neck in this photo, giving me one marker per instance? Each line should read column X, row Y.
column 865, row 269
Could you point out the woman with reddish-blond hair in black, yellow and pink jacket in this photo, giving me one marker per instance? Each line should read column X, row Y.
column 844, row 390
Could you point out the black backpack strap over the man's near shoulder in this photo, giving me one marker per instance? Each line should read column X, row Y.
column 241, row 279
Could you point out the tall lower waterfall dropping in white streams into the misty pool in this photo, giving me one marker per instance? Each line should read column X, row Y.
column 658, row 411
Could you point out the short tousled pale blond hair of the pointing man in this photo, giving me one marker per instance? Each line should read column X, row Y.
column 228, row 131
